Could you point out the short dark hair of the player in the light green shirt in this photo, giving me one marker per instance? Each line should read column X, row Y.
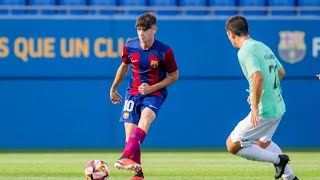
column 238, row 25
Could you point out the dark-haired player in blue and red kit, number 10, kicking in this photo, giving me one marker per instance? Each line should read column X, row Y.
column 153, row 69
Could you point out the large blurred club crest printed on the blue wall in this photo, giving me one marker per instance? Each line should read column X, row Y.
column 292, row 47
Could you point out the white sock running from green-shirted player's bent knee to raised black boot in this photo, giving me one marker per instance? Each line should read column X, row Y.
column 256, row 153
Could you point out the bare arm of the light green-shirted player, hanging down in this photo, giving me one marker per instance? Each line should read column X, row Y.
column 257, row 86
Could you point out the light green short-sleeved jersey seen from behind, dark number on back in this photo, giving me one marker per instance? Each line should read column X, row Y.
column 255, row 56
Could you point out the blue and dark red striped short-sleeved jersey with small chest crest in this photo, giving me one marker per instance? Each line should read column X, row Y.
column 148, row 66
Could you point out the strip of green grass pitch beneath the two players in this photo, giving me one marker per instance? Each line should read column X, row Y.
column 168, row 164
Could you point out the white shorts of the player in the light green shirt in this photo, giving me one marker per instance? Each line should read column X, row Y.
column 247, row 135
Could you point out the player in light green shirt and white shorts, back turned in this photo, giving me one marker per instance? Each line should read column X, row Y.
column 252, row 137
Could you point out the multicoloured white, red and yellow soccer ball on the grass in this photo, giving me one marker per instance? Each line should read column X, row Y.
column 96, row 170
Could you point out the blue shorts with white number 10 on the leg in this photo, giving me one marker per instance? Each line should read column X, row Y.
column 133, row 106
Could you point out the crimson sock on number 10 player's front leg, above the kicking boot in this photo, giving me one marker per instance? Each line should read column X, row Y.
column 133, row 145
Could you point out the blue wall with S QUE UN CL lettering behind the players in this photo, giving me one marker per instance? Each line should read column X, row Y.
column 55, row 77
